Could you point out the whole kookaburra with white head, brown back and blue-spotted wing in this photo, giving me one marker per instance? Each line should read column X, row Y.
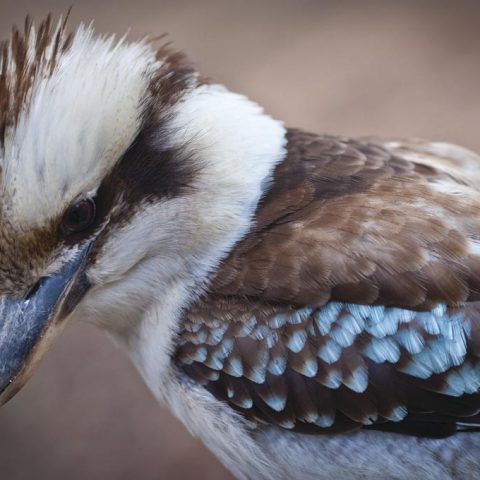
column 307, row 305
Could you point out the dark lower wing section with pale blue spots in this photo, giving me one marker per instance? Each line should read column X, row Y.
column 338, row 367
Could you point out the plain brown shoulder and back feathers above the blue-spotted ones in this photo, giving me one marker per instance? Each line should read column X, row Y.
column 359, row 222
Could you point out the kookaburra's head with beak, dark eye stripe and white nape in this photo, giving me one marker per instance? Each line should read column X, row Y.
column 125, row 179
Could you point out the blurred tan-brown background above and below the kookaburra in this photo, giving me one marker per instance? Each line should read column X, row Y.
column 409, row 68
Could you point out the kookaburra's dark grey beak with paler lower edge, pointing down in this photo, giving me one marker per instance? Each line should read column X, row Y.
column 28, row 325
